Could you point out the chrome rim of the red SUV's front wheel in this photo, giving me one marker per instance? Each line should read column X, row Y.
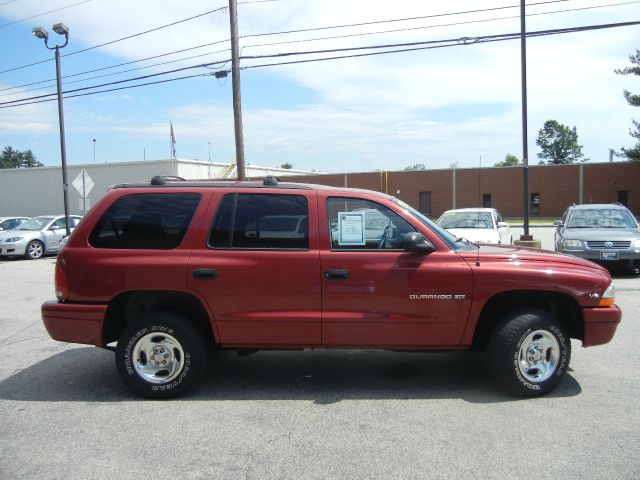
column 539, row 356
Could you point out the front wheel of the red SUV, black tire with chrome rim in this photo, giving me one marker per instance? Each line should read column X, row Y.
column 529, row 353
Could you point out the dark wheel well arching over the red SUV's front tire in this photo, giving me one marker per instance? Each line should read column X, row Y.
column 562, row 307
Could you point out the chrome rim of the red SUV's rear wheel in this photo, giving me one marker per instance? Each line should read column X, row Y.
column 158, row 358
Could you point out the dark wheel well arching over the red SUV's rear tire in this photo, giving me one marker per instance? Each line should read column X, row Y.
column 130, row 306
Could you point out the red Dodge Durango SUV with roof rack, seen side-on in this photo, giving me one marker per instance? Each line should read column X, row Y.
column 161, row 272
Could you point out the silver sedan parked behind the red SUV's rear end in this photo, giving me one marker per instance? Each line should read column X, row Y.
column 35, row 237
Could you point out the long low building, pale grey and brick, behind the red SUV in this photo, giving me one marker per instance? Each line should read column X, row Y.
column 38, row 191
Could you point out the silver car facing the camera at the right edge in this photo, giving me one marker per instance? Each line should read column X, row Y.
column 604, row 233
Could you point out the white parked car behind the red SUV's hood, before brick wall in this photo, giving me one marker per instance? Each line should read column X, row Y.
column 479, row 225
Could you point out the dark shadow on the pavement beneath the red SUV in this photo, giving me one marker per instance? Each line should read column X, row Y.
column 322, row 376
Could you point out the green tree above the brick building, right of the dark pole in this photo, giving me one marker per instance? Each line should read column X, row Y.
column 559, row 144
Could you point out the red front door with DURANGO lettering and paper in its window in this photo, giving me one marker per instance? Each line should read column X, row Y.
column 376, row 294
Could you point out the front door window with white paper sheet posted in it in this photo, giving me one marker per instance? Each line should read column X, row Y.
column 356, row 224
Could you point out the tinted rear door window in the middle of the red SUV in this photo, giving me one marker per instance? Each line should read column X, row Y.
column 261, row 221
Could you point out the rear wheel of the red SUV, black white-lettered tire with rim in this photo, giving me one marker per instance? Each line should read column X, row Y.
column 160, row 356
